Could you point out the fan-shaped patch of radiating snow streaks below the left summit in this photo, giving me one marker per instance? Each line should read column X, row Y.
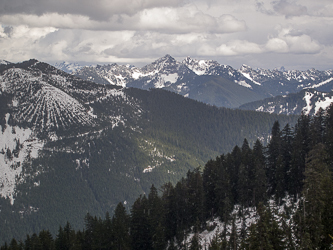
column 45, row 106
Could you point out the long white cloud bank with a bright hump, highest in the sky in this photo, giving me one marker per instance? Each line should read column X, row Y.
column 170, row 20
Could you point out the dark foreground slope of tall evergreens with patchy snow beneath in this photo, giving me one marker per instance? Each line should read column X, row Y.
column 277, row 196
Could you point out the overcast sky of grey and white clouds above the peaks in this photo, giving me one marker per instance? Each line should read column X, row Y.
column 296, row 34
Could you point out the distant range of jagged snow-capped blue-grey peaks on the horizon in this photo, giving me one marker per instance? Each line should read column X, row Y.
column 210, row 82
